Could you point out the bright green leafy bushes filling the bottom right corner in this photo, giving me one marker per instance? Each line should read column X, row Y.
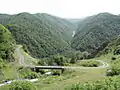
column 109, row 83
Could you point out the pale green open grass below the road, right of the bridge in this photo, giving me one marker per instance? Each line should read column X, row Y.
column 63, row 81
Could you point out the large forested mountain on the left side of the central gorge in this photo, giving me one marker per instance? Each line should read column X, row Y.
column 41, row 34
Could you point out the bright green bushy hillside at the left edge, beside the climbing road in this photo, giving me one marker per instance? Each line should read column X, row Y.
column 7, row 44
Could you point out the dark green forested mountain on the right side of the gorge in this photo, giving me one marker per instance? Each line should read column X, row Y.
column 95, row 32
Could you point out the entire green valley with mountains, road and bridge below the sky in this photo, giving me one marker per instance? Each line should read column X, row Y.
column 48, row 52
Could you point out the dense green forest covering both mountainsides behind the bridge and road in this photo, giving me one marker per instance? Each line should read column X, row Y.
column 43, row 35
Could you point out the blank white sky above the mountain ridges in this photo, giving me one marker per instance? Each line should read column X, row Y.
column 61, row 8
